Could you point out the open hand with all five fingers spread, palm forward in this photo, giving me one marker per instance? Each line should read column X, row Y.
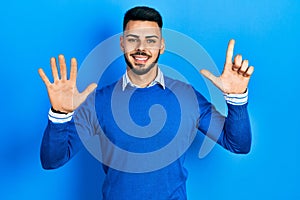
column 63, row 93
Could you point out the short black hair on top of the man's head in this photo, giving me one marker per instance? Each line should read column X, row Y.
column 142, row 13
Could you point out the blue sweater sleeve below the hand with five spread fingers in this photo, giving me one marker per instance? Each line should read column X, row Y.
column 61, row 139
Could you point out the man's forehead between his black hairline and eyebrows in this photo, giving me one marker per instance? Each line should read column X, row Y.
column 142, row 28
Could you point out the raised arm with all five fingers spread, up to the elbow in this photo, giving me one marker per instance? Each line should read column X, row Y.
column 61, row 141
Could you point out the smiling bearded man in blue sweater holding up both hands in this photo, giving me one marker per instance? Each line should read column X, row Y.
column 142, row 44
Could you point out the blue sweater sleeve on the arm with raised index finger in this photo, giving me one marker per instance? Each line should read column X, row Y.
column 233, row 132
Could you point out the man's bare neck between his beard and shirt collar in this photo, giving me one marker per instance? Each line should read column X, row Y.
column 142, row 80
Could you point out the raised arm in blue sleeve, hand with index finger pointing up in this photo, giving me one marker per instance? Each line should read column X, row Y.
column 232, row 132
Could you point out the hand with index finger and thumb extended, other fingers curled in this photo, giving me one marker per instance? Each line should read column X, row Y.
column 235, row 76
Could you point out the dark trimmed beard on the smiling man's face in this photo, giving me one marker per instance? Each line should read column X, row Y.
column 141, row 69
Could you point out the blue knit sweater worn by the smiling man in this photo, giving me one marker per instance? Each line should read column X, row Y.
column 141, row 163
